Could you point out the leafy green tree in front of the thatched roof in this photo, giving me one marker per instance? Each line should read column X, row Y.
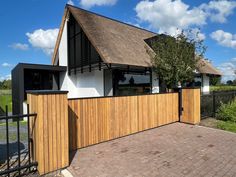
column 174, row 60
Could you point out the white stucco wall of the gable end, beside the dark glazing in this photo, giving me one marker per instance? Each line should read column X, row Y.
column 88, row 84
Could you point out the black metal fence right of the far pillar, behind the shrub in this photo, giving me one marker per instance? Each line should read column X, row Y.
column 212, row 101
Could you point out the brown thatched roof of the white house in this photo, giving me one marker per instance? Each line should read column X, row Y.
column 116, row 42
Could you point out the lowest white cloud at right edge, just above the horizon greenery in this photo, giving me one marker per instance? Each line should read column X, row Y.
column 228, row 69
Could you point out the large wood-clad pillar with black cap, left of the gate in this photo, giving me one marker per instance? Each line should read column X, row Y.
column 49, row 130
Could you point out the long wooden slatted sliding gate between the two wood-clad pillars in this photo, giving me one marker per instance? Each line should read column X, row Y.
column 95, row 120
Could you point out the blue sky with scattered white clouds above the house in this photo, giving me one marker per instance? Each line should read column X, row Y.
column 29, row 27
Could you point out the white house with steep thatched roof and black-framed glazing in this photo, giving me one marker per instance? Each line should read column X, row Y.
column 97, row 56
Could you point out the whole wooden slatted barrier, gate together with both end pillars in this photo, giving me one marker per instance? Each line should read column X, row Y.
column 62, row 125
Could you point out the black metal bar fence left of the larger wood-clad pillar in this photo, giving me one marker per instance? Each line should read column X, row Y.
column 14, row 162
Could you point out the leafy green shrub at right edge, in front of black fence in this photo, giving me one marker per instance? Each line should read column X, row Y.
column 227, row 112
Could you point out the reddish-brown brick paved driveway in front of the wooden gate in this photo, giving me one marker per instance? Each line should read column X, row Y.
column 173, row 150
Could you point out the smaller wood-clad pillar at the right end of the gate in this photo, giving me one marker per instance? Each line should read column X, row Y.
column 191, row 106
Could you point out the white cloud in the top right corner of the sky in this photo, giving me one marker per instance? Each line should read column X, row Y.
column 218, row 11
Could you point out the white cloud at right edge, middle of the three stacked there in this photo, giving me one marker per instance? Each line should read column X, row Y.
column 224, row 38
